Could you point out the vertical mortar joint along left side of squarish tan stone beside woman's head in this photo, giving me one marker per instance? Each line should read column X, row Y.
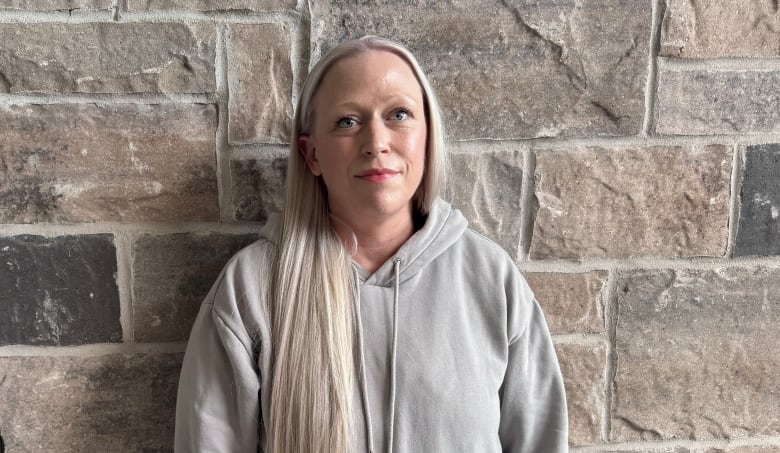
column 224, row 188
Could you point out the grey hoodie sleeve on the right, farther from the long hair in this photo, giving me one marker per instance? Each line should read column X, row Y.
column 533, row 400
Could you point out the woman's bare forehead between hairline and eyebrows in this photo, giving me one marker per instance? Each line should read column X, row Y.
column 374, row 71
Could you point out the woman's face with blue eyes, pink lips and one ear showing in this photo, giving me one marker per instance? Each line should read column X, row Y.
column 368, row 137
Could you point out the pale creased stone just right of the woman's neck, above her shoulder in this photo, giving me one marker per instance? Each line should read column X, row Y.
column 486, row 187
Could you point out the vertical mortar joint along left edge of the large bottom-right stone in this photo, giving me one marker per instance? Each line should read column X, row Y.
column 609, row 301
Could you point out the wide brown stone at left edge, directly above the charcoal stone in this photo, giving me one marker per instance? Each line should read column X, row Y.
column 84, row 163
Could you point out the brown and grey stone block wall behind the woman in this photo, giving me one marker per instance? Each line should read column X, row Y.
column 625, row 152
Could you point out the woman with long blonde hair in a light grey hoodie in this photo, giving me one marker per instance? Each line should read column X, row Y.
column 369, row 317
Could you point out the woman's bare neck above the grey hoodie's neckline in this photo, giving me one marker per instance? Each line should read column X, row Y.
column 377, row 238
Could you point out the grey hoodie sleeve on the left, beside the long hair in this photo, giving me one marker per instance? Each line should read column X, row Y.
column 218, row 402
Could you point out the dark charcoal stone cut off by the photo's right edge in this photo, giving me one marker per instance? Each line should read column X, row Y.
column 758, row 232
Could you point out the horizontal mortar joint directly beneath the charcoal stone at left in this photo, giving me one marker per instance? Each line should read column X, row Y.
column 92, row 350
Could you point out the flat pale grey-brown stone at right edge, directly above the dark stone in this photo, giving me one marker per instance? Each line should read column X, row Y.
column 701, row 102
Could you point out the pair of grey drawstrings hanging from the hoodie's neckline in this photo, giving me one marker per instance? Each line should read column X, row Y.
column 393, row 361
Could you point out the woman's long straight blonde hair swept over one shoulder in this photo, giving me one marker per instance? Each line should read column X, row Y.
column 312, row 297
